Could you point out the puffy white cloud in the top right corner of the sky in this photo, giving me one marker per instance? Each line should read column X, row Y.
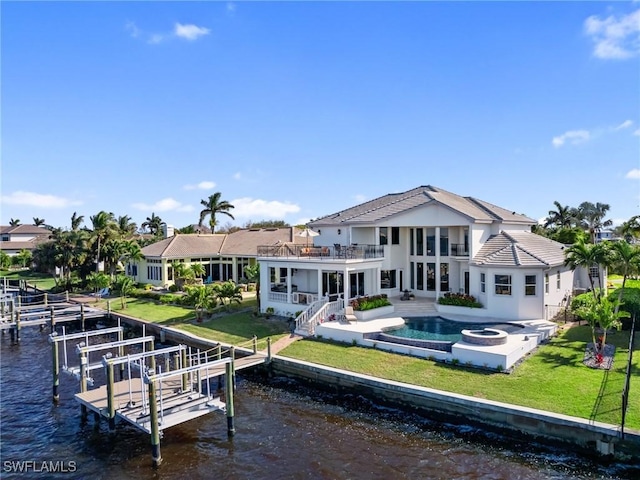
column 615, row 37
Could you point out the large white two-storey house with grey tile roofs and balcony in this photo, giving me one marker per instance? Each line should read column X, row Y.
column 426, row 240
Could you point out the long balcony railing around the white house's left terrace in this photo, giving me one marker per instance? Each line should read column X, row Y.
column 322, row 253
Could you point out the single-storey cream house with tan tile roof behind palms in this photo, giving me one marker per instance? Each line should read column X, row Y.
column 224, row 256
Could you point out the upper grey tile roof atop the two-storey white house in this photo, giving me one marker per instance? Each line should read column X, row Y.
column 395, row 203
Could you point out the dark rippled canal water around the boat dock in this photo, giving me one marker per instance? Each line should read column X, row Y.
column 283, row 431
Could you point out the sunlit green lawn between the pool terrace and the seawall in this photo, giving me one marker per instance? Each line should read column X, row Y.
column 553, row 378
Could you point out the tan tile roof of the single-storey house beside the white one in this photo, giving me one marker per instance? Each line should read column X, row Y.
column 242, row 242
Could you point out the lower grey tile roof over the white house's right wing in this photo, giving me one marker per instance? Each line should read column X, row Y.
column 509, row 249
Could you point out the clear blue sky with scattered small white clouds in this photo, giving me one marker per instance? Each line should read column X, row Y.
column 295, row 110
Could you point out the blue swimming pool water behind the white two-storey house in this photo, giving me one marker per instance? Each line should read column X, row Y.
column 438, row 328
